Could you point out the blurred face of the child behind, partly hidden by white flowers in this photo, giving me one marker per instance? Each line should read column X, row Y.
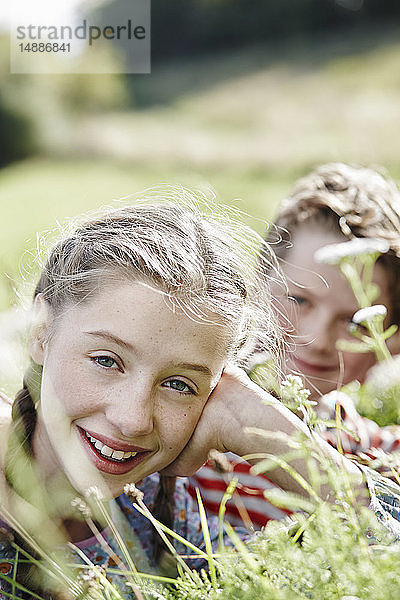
column 320, row 305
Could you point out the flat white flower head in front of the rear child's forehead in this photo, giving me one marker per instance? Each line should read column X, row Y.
column 334, row 253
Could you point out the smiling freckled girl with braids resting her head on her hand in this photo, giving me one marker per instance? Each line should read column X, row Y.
column 142, row 320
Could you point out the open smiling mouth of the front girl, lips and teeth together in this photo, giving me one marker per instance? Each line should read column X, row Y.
column 108, row 459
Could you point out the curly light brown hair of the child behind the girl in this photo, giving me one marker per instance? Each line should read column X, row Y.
column 355, row 202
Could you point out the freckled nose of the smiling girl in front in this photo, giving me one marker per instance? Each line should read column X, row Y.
column 131, row 411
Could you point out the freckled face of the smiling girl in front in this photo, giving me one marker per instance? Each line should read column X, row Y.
column 125, row 379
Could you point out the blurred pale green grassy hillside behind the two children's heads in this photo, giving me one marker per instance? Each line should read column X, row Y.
column 245, row 122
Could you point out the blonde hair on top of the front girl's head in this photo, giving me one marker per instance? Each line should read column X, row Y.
column 204, row 263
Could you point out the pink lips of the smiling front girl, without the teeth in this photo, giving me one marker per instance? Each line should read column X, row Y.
column 107, row 465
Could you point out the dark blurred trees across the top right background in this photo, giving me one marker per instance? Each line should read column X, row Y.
column 183, row 28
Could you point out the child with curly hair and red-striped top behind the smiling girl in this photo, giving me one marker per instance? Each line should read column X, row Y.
column 332, row 204
